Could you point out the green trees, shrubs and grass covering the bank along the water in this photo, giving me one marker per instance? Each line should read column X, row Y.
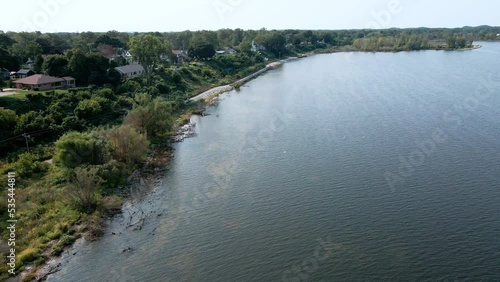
column 73, row 148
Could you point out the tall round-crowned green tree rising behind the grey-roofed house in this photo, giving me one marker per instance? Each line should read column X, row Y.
column 147, row 49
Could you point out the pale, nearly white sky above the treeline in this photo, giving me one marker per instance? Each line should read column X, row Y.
column 157, row 15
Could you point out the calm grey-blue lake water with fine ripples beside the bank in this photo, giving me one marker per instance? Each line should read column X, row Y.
column 339, row 167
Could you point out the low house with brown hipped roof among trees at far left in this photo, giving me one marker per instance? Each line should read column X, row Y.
column 44, row 82
